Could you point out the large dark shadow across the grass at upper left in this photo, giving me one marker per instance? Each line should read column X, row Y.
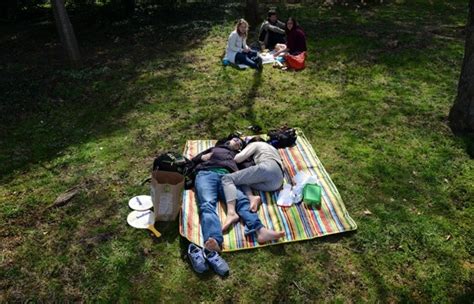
column 47, row 108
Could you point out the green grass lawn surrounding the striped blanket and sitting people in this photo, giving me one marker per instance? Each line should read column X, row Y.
column 375, row 115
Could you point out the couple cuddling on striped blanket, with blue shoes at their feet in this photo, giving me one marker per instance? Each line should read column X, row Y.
column 219, row 178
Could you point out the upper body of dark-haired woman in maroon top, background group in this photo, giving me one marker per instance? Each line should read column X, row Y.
column 295, row 40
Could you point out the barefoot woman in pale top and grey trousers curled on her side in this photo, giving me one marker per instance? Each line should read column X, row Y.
column 266, row 175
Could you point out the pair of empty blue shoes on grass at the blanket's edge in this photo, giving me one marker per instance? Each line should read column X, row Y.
column 202, row 258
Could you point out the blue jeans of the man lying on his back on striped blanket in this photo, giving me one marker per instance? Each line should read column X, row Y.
column 209, row 191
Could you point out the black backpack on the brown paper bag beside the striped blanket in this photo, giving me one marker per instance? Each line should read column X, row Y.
column 176, row 162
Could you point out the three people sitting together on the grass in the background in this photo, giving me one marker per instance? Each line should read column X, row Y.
column 275, row 35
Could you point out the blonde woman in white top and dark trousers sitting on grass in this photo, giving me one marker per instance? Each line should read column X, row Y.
column 237, row 50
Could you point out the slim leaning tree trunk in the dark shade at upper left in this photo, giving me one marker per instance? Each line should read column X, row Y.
column 66, row 32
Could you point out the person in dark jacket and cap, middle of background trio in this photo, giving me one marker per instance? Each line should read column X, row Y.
column 272, row 31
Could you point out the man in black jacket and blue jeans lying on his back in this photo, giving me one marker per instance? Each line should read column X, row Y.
column 211, row 165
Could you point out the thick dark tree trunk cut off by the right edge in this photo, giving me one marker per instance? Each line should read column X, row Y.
column 461, row 116
